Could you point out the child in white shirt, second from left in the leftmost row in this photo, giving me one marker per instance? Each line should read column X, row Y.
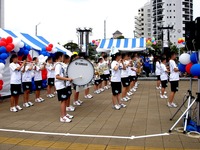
column 27, row 73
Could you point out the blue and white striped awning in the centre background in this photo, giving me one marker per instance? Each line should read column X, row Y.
column 129, row 45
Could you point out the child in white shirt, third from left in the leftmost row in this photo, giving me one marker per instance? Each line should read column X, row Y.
column 38, row 79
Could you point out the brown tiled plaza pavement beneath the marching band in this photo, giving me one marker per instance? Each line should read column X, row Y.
column 145, row 114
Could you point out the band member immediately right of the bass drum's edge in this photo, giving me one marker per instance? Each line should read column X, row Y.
column 96, row 79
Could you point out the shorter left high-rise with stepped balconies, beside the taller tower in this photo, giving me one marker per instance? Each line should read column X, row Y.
column 143, row 22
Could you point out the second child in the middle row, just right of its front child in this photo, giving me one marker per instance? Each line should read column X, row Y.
column 125, row 78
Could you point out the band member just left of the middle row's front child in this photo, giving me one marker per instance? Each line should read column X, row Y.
column 106, row 73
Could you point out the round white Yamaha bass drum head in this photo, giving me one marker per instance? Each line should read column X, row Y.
column 81, row 71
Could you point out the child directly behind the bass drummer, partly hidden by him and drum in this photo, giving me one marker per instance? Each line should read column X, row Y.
column 66, row 61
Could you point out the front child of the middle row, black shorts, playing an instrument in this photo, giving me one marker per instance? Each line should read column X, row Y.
column 116, row 81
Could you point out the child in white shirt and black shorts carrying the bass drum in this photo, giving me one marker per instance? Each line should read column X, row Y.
column 60, row 85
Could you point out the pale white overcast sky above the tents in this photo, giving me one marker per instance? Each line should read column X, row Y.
column 59, row 18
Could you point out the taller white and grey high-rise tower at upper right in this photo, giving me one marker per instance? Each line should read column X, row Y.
column 168, row 13
